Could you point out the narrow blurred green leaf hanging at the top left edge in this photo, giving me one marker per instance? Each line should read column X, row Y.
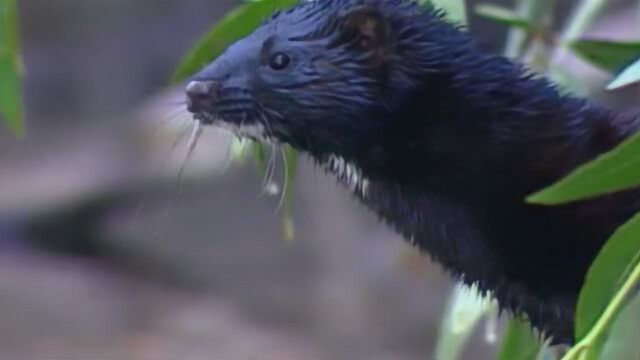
column 10, row 68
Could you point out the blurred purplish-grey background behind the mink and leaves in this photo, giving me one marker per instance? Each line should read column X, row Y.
column 104, row 256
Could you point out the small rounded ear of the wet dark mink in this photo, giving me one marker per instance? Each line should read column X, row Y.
column 366, row 27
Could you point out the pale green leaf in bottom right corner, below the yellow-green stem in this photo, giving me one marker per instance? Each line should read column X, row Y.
column 622, row 342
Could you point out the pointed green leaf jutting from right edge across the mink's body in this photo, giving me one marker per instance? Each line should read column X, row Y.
column 615, row 170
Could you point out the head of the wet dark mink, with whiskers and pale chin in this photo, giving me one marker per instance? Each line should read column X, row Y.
column 325, row 76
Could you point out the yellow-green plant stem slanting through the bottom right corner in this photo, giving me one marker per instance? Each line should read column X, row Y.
column 607, row 316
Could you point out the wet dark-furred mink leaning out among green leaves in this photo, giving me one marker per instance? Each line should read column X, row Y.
column 440, row 138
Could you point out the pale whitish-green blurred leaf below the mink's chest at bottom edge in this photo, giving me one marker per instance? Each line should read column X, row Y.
column 466, row 308
